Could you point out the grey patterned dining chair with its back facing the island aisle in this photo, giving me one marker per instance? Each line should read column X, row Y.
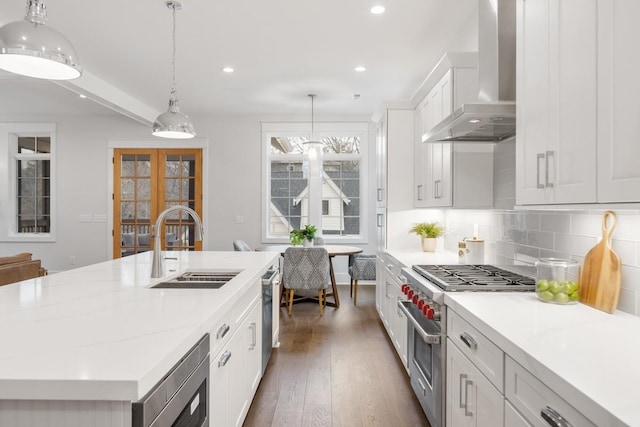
column 306, row 269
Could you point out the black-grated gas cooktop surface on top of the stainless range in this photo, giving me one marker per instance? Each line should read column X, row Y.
column 462, row 277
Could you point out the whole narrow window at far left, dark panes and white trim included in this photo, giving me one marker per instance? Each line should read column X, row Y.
column 29, row 159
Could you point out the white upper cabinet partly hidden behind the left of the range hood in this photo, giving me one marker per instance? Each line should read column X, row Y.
column 442, row 169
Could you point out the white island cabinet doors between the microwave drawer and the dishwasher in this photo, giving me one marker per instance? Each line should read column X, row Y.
column 236, row 370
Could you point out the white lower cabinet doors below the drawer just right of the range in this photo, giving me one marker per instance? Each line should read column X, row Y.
column 471, row 398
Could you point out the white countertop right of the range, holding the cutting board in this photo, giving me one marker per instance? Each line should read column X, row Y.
column 589, row 357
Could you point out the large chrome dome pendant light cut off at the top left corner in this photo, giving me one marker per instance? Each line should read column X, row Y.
column 31, row 48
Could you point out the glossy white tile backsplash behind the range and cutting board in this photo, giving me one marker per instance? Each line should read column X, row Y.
column 524, row 236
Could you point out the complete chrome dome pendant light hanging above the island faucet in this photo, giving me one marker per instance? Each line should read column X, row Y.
column 173, row 123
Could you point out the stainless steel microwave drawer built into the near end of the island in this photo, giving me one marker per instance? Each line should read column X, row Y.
column 181, row 398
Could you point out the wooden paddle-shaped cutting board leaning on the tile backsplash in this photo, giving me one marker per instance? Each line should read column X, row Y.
column 600, row 275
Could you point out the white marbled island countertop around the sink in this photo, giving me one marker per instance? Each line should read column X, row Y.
column 100, row 332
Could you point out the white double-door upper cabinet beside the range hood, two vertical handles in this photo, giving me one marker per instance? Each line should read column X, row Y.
column 556, row 101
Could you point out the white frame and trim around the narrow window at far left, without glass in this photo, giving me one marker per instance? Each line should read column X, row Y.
column 8, row 204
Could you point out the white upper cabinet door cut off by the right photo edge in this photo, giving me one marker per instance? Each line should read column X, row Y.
column 618, row 107
